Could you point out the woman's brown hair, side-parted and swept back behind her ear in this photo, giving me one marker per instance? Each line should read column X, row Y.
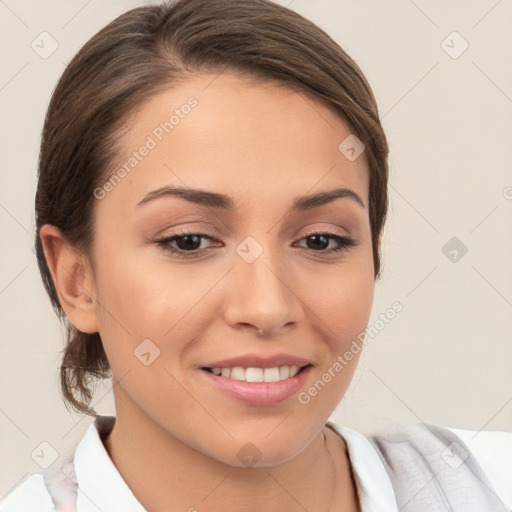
column 149, row 49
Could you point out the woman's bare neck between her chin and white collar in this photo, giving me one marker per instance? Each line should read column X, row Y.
column 160, row 469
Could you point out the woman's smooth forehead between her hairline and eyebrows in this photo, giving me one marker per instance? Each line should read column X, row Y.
column 222, row 132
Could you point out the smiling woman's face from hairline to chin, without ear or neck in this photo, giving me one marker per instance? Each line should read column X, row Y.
column 182, row 282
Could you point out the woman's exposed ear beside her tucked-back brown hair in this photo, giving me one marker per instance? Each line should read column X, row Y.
column 72, row 277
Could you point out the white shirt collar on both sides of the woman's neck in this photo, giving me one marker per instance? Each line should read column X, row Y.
column 103, row 488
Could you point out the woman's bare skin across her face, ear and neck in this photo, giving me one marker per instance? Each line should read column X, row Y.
column 176, row 437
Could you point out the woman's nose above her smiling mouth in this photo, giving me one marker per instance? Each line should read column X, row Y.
column 263, row 296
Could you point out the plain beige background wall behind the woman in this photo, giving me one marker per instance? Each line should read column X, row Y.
column 447, row 357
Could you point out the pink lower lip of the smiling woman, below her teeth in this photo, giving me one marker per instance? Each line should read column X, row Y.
column 262, row 394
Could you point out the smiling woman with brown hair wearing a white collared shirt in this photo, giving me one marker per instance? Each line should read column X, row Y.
column 245, row 129
